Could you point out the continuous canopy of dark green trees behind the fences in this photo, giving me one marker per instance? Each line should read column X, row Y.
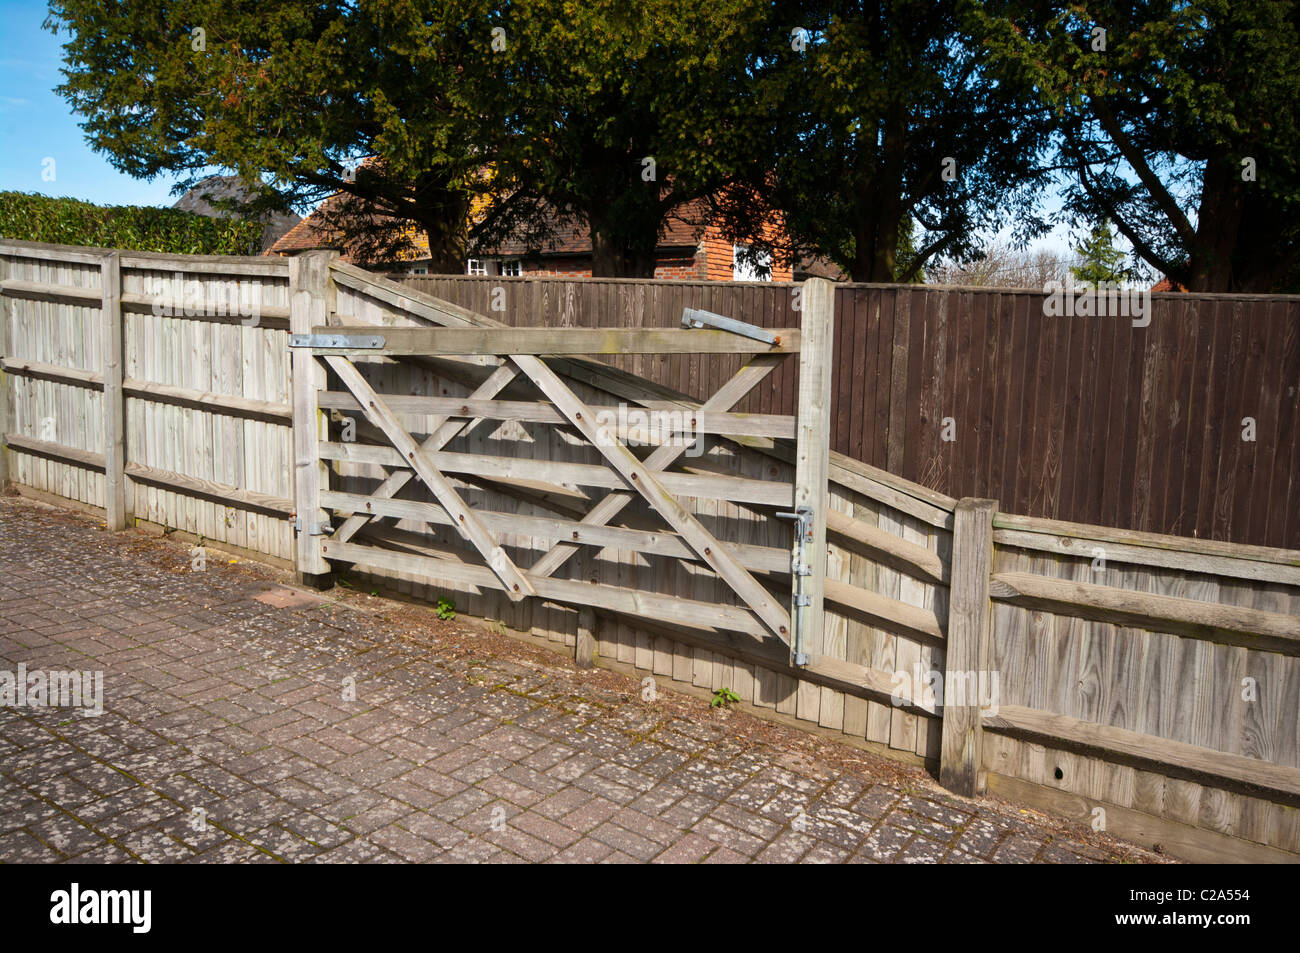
column 898, row 135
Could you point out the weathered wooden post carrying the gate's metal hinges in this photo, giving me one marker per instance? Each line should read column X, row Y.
column 310, row 288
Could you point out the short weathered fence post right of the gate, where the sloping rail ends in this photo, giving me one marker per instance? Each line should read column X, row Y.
column 970, row 647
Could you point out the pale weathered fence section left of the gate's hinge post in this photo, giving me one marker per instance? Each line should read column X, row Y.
column 153, row 387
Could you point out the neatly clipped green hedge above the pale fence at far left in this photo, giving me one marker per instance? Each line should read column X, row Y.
column 33, row 218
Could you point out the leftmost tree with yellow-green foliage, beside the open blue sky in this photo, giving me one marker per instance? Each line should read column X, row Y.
column 296, row 97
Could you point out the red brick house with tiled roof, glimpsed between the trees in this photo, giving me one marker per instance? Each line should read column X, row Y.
column 690, row 250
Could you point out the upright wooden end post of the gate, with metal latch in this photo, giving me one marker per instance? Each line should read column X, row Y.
column 813, row 458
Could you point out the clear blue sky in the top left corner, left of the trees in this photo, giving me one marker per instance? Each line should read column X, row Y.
column 37, row 124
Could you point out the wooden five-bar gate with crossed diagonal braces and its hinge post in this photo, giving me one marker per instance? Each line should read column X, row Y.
column 437, row 460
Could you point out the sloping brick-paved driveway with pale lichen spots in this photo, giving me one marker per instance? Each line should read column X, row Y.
column 227, row 737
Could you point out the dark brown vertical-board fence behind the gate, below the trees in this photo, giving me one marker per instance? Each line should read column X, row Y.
column 1082, row 419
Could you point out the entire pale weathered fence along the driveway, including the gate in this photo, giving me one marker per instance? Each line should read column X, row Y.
column 1143, row 683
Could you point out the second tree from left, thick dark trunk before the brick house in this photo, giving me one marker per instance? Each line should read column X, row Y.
column 623, row 114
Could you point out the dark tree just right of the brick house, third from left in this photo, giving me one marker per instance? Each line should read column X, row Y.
column 886, row 119
